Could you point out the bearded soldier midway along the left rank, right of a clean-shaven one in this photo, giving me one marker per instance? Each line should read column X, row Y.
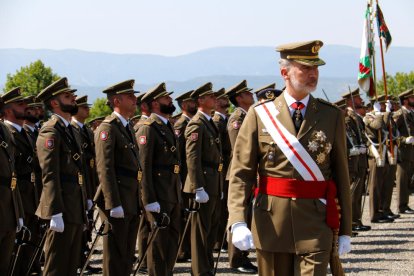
column 161, row 184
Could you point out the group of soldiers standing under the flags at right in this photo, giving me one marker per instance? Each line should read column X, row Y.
column 380, row 154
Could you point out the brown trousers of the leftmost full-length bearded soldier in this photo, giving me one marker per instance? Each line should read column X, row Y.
column 62, row 250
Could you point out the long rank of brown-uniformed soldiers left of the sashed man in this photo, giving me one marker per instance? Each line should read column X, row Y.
column 142, row 177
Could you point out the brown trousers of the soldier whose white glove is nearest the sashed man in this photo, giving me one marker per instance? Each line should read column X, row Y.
column 204, row 226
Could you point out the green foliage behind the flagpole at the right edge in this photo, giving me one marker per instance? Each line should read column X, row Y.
column 396, row 84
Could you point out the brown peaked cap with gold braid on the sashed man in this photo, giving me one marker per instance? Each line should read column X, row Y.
column 306, row 53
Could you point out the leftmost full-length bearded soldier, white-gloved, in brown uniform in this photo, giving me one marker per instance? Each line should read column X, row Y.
column 63, row 199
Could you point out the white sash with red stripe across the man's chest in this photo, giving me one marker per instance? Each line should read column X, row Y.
column 288, row 143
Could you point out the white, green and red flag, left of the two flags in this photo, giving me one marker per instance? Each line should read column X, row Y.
column 365, row 66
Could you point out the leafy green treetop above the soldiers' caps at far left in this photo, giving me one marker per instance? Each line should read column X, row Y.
column 32, row 78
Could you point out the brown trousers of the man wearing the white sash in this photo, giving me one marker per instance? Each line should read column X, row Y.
column 291, row 264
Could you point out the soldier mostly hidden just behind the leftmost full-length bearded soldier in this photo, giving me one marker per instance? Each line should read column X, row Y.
column 91, row 176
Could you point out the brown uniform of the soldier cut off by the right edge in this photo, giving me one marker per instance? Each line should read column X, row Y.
column 405, row 122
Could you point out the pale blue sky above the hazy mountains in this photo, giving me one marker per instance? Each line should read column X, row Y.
column 175, row 27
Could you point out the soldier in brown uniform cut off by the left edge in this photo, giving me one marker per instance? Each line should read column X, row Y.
column 11, row 207
